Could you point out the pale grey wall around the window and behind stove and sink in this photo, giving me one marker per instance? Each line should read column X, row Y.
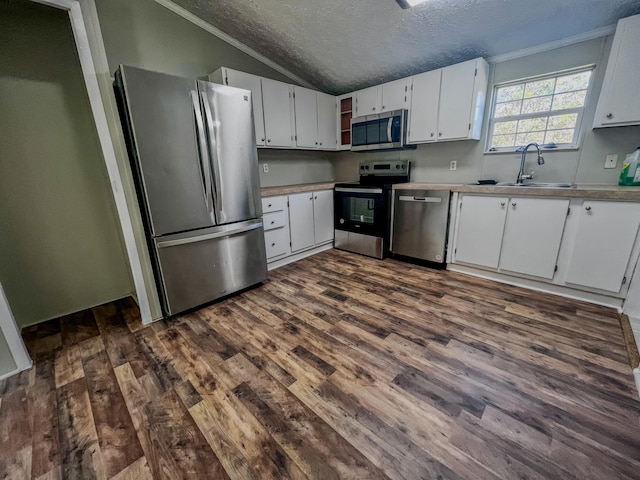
column 430, row 163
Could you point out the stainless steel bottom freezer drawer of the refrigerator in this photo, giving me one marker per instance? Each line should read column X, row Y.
column 199, row 267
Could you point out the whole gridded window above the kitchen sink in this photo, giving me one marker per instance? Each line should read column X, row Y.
column 546, row 110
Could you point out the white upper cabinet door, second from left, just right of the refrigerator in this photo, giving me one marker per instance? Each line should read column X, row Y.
column 276, row 102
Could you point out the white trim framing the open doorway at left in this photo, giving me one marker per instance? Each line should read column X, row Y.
column 83, row 45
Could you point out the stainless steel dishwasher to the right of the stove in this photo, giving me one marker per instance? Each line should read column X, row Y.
column 420, row 223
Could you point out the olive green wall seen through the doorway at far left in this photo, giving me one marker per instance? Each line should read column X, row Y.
column 60, row 246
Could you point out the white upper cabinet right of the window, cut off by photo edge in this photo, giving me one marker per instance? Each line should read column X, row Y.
column 619, row 102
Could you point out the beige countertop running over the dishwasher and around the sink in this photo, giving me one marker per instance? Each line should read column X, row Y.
column 604, row 192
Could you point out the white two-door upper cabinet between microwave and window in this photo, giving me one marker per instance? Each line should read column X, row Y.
column 458, row 105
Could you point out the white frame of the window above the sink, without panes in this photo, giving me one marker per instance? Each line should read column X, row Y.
column 580, row 111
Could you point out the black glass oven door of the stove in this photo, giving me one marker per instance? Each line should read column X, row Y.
column 361, row 210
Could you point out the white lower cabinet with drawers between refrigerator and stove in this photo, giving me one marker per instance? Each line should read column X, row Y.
column 297, row 223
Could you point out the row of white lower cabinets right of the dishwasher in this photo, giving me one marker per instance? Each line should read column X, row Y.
column 594, row 251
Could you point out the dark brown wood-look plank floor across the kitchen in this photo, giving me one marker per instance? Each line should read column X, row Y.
column 339, row 366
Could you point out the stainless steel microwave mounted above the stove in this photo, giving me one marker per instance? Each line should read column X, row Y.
column 380, row 131
